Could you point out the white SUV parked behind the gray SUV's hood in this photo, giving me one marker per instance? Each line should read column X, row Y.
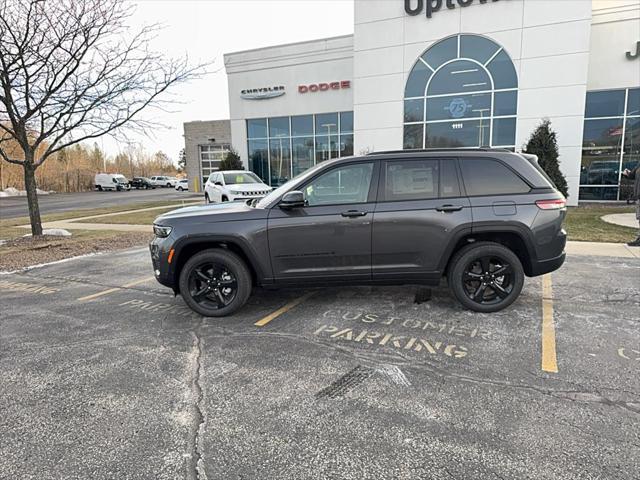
column 232, row 185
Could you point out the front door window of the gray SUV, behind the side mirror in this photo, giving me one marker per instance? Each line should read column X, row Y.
column 343, row 185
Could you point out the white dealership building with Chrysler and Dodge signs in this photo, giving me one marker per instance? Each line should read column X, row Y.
column 447, row 73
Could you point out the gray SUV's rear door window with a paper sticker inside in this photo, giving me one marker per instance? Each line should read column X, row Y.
column 412, row 180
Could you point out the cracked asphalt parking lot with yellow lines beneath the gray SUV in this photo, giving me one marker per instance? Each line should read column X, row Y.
column 106, row 375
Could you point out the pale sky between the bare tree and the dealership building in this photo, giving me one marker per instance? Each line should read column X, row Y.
column 206, row 29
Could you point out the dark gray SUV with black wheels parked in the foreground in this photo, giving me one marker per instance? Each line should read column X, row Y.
column 482, row 218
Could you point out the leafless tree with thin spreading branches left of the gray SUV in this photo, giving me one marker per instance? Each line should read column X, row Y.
column 72, row 71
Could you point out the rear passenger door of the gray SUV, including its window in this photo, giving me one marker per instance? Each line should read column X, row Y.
column 421, row 210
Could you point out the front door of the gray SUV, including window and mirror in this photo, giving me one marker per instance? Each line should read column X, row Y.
column 330, row 237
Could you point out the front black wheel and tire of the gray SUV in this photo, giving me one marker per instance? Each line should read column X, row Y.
column 221, row 266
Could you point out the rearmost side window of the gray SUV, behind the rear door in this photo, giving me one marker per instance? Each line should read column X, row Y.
column 484, row 176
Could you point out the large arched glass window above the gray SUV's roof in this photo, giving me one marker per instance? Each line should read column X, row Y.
column 462, row 92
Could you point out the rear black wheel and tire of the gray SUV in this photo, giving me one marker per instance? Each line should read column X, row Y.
column 478, row 290
